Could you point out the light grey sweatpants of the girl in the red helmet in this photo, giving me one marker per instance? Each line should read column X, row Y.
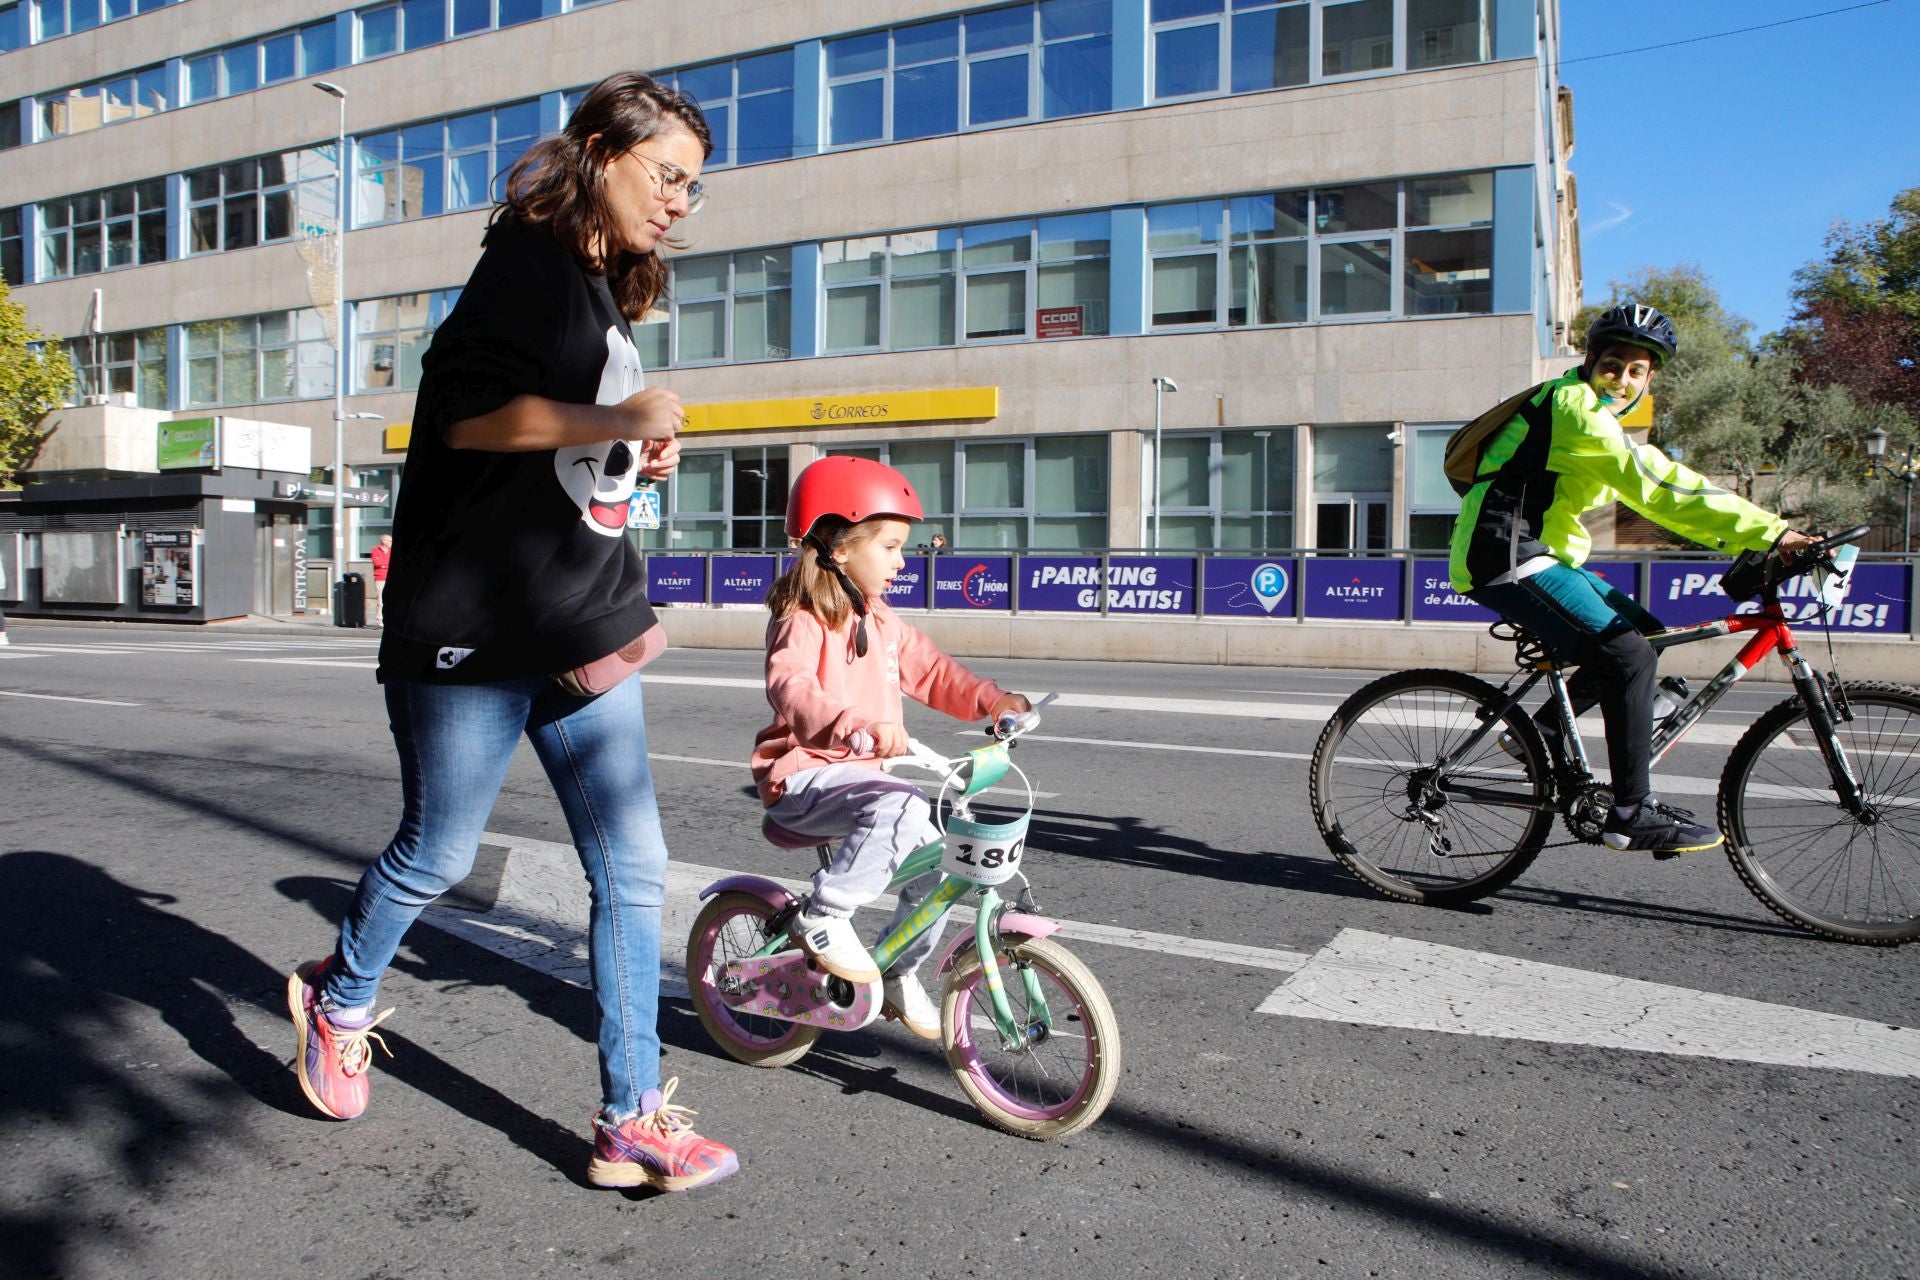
column 882, row 820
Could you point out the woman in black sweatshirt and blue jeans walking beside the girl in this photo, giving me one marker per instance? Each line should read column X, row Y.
column 531, row 433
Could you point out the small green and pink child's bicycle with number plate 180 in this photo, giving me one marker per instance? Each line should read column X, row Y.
column 1038, row 1055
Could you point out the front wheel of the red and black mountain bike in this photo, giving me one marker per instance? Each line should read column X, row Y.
column 1844, row 876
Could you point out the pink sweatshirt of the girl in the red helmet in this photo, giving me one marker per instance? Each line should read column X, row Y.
column 823, row 694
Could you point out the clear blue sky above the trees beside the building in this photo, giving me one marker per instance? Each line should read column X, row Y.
column 1739, row 153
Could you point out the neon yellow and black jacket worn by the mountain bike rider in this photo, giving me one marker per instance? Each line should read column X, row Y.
column 1535, row 486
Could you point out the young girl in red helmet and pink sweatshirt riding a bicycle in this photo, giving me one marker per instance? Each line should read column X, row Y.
column 838, row 661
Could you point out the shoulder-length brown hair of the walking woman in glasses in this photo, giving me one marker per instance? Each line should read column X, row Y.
column 558, row 181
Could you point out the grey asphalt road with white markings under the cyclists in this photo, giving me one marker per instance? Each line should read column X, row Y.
column 181, row 817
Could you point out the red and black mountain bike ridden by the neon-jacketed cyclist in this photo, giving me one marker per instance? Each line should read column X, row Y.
column 1437, row 788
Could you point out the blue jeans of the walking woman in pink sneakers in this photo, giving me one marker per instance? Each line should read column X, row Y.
column 456, row 744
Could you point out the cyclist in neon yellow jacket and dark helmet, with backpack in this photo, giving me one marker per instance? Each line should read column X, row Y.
column 1520, row 546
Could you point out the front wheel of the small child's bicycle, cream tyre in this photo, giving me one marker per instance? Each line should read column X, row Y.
column 1063, row 1079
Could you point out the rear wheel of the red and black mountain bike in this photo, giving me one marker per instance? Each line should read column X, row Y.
column 1380, row 803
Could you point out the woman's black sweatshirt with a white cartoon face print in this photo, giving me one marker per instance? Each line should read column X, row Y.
column 514, row 565
